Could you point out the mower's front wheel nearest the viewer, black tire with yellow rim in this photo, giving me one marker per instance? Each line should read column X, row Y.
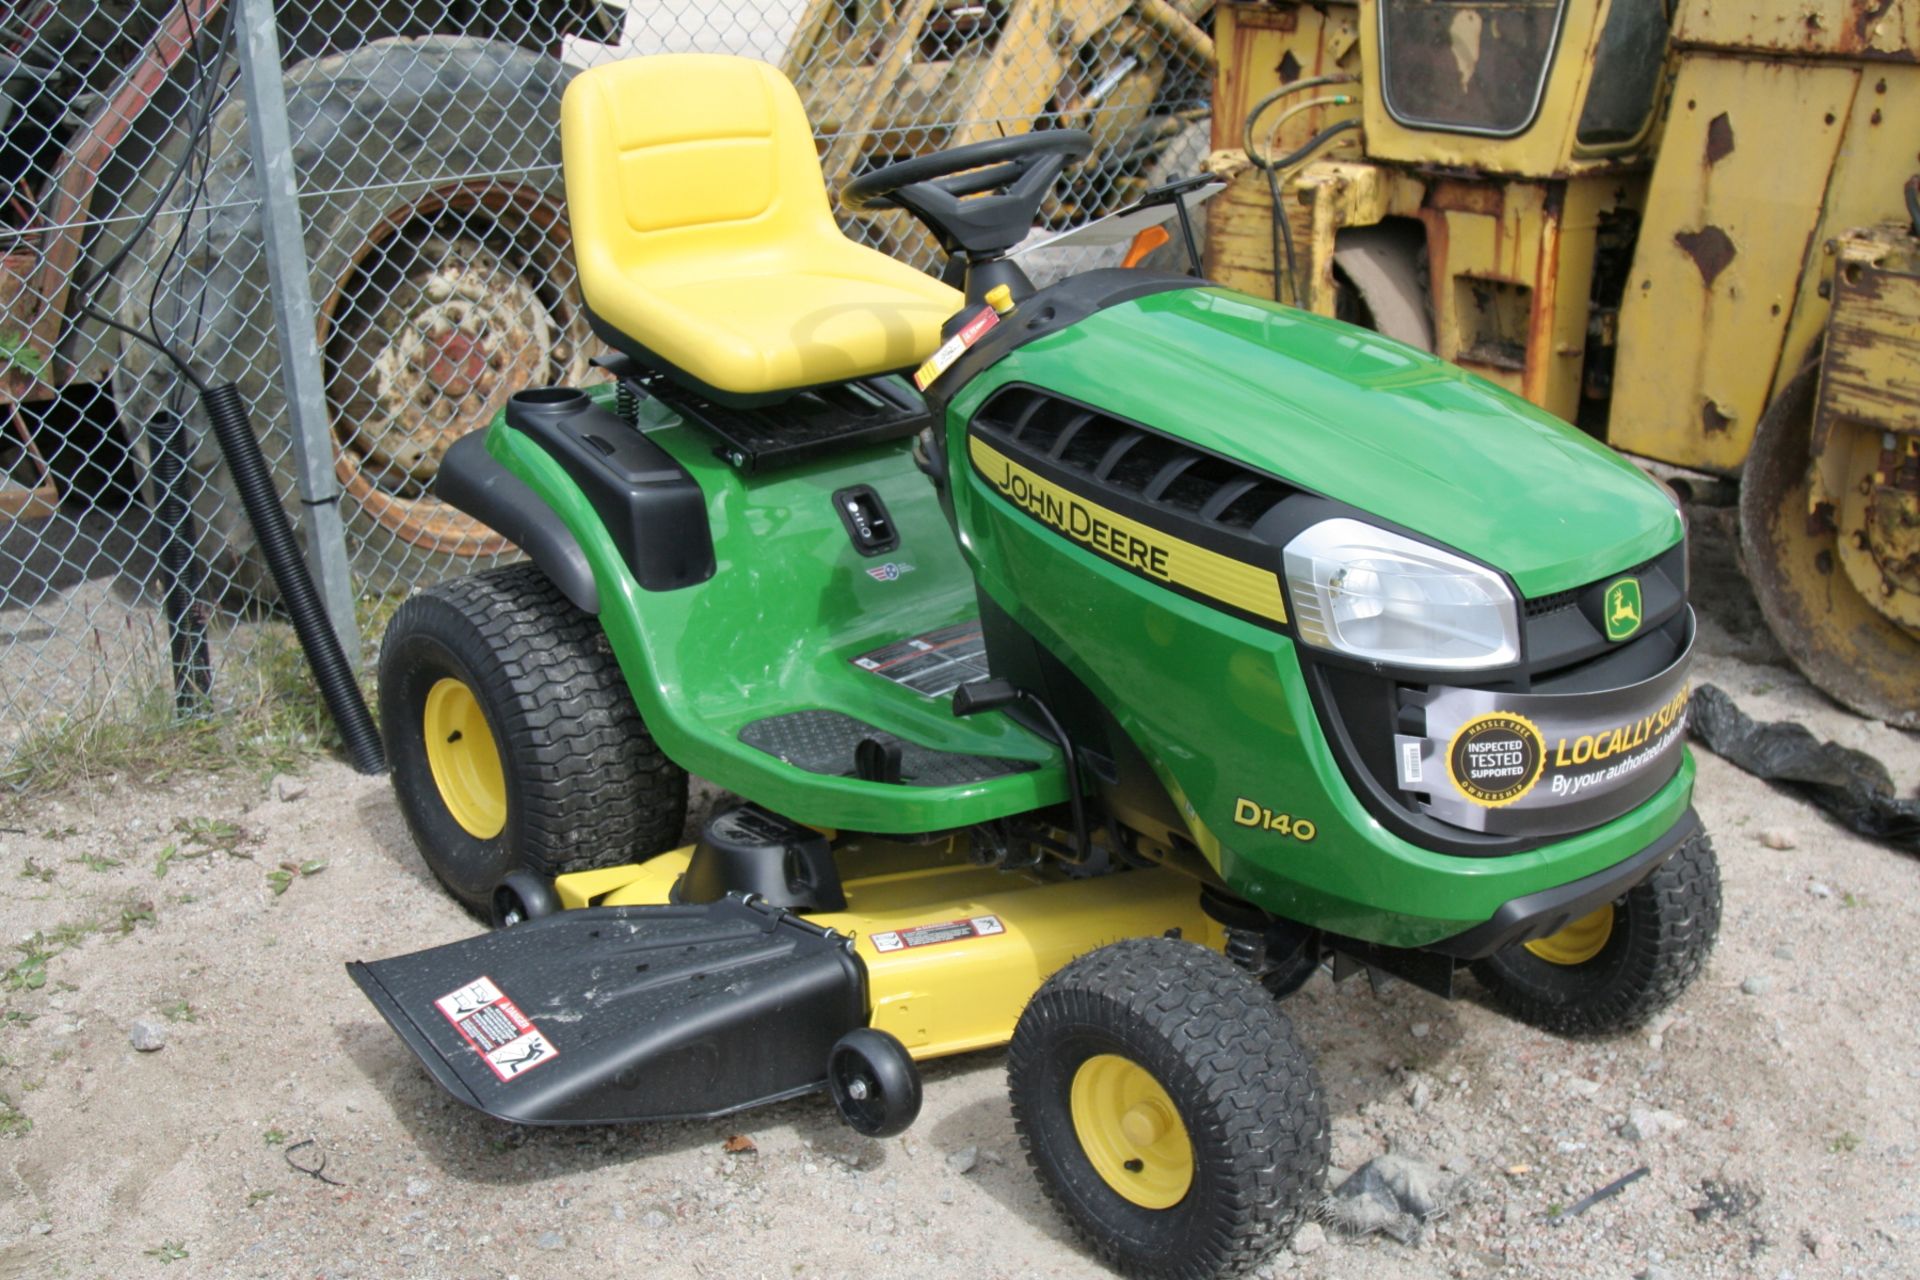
column 1168, row 1110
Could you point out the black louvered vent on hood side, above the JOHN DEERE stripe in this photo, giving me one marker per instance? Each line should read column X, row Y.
column 1130, row 460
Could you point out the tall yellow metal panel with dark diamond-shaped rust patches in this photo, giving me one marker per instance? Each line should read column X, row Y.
column 1723, row 249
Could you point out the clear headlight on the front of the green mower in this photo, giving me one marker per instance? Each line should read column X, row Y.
column 1385, row 598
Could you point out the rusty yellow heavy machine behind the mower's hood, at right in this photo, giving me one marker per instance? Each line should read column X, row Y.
column 1691, row 231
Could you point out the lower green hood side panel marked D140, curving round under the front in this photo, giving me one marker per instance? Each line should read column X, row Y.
column 1224, row 711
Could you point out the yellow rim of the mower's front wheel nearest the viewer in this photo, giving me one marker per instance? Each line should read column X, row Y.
column 1132, row 1133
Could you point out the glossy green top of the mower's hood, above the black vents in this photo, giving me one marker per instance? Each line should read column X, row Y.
column 1360, row 419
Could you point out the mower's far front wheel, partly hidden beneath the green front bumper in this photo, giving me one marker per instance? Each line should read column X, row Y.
column 1621, row 964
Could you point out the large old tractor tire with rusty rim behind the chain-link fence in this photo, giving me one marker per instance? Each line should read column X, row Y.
column 441, row 266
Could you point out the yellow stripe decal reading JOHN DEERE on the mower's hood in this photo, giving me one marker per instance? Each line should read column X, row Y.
column 1138, row 546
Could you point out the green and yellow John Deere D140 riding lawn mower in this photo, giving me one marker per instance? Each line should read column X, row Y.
column 1092, row 665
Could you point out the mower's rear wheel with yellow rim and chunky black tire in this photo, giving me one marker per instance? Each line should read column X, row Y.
column 514, row 740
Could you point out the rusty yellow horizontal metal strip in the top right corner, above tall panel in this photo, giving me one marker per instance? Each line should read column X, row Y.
column 1879, row 30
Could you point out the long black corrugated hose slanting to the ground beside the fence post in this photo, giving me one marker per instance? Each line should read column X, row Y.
column 262, row 500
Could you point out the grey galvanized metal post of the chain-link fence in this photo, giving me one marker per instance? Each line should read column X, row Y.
column 295, row 318
